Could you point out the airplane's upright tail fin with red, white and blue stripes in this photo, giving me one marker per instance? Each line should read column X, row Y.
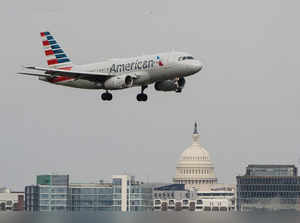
column 56, row 57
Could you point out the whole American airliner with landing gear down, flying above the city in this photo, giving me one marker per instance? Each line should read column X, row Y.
column 167, row 71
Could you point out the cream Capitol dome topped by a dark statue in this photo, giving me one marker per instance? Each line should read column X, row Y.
column 194, row 168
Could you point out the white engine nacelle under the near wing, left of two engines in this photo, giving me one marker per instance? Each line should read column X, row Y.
column 118, row 82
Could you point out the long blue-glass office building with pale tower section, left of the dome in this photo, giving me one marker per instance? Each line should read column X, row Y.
column 56, row 194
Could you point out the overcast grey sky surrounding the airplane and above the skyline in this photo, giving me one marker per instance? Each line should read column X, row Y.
column 246, row 99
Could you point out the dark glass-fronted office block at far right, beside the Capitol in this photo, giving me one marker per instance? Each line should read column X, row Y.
column 280, row 185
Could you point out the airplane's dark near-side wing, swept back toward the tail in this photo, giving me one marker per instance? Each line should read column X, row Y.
column 50, row 72
